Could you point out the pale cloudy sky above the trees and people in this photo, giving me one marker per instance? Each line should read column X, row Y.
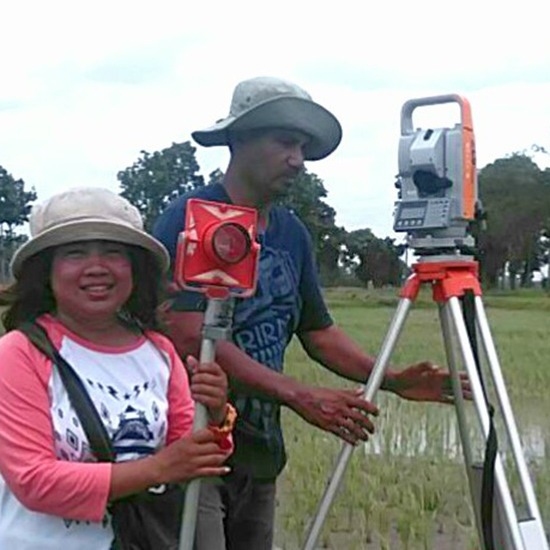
column 86, row 86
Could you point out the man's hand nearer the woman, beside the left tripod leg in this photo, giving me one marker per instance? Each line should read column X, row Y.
column 342, row 412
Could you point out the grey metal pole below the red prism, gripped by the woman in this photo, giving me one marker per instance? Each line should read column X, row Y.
column 214, row 311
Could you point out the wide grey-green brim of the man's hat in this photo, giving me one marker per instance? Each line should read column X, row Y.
column 281, row 112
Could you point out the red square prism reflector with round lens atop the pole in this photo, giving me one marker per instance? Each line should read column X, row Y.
column 218, row 248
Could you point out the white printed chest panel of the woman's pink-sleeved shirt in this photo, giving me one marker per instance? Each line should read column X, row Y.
column 135, row 420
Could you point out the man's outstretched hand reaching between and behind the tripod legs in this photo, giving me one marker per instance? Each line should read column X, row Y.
column 427, row 382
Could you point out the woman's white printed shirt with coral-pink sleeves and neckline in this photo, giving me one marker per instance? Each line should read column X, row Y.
column 53, row 494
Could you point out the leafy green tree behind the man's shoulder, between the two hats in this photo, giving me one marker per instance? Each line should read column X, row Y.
column 157, row 178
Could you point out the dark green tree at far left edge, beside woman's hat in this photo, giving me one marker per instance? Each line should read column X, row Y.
column 15, row 207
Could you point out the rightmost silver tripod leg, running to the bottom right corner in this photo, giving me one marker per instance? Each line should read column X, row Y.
column 532, row 529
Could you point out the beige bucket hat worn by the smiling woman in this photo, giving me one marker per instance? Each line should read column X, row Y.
column 85, row 214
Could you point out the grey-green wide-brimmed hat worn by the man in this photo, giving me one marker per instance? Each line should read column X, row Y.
column 266, row 102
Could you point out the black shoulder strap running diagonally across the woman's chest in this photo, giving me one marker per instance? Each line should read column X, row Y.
column 92, row 425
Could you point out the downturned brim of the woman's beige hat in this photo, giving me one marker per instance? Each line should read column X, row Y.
column 89, row 230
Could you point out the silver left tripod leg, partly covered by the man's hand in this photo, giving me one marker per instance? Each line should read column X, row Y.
column 373, row 384
